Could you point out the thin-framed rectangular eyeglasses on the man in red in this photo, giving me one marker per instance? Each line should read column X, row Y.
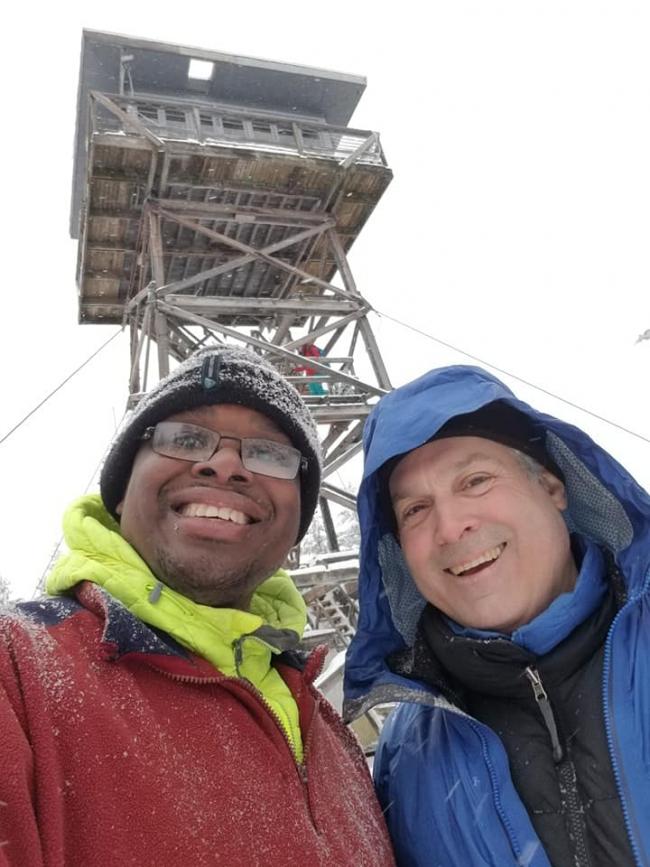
column 189, row 442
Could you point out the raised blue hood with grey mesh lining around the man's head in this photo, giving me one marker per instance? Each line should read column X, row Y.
column 605, row 504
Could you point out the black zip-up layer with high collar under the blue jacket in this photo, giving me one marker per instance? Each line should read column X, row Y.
column 548, row 713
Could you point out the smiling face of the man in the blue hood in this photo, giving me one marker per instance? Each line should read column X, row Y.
column 480, row 529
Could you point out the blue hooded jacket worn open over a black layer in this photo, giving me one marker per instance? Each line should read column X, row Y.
column 443, row 777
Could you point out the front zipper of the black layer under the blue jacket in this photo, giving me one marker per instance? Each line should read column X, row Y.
column 566, row 773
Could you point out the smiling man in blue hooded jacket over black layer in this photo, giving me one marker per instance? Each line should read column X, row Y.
column 504, row 604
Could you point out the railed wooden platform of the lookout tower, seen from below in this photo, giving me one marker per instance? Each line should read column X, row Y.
column 243, row 202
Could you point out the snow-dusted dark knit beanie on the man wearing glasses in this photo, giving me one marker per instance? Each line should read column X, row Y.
column 219, row 374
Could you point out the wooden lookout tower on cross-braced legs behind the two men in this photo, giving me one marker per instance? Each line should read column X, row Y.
column 215, row 198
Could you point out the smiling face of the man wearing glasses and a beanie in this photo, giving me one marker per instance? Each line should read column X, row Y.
column 175, row 511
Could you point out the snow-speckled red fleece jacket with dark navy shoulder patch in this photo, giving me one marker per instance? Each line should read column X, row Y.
column 118, row 747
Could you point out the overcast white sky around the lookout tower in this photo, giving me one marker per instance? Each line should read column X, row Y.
column 517, row 226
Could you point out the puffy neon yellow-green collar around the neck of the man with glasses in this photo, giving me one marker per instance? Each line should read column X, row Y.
column 99, row 554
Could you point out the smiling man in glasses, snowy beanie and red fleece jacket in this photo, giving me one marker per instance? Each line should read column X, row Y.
column 154, row 709
